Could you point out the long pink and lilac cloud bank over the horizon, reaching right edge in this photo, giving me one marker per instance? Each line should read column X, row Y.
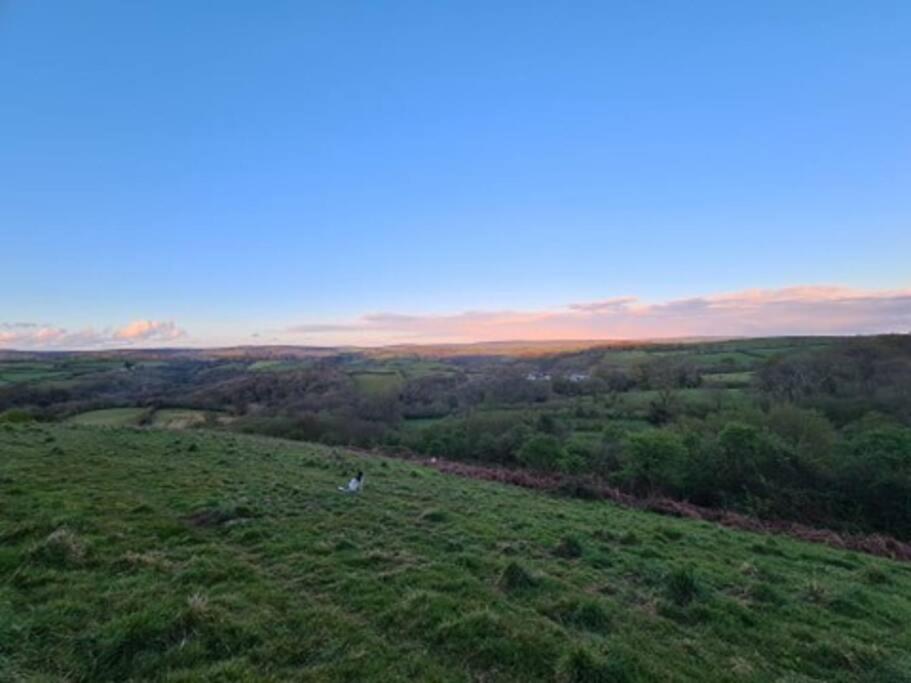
column 791, row 310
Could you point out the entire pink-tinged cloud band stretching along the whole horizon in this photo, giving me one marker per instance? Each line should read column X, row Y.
column 807, row 310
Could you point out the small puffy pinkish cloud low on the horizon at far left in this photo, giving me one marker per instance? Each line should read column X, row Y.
column 27, row 335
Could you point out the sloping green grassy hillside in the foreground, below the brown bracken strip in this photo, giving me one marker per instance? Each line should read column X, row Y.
column 146, row 554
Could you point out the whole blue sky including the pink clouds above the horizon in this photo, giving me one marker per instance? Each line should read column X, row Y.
column 179, row 173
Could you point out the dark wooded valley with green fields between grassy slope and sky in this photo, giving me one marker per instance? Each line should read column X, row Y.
column 811, row 430
